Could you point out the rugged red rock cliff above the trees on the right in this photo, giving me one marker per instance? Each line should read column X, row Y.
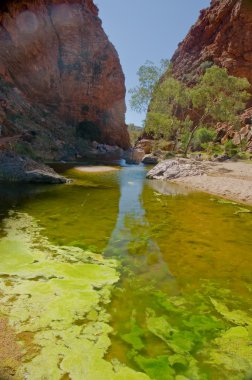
column 222, row 35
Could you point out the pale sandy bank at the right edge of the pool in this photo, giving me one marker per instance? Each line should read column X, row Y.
column 231, row 180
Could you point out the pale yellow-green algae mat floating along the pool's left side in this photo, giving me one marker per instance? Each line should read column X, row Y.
column 58, row 294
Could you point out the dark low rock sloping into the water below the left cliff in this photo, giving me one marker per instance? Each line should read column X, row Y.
column 14, row 168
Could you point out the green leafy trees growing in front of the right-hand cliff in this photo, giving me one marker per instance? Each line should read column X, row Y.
column 187, row 115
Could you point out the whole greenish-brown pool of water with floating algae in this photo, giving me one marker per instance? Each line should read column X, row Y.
column 117, row 277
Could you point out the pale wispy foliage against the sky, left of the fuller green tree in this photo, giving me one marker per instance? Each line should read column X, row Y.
column 148, row 76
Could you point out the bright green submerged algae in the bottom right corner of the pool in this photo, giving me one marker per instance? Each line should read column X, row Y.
column 191, row 334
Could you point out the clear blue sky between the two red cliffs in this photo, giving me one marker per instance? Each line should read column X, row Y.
column 146, row 30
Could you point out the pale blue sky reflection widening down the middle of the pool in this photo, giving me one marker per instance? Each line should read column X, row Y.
column 132, row 240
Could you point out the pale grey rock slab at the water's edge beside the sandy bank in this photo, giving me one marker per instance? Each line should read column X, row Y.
column 180, row 167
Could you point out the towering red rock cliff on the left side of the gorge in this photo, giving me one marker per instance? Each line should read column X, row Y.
column 61, row 81
